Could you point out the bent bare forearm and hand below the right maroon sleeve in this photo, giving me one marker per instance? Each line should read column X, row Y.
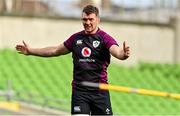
column 120, row 53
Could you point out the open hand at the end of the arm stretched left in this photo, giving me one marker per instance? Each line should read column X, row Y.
column 23, row 49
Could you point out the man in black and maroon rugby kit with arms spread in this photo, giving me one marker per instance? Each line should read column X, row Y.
column 91, row 49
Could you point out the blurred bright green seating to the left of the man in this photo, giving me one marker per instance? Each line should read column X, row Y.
column 42, row 78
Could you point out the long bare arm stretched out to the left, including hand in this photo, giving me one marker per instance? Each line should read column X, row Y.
column 43, row 52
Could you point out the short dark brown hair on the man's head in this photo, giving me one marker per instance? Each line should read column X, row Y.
column 91, row 9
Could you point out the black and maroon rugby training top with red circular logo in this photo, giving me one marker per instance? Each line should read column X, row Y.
column 91, row 57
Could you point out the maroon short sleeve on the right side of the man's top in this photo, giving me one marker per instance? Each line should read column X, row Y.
column 109, row 41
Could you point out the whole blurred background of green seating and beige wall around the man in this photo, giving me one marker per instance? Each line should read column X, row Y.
column 35, row 85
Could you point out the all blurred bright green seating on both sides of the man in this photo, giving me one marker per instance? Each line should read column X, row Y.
column 43, row 80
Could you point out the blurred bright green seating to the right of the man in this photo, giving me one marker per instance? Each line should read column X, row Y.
column 160, row 77
